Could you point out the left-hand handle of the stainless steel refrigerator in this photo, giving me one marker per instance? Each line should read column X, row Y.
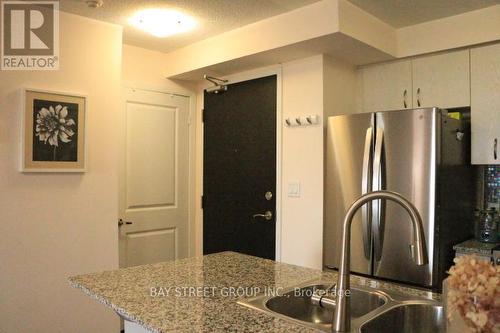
column 365, row 188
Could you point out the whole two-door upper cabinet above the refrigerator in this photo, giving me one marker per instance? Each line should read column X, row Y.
column 441, row 80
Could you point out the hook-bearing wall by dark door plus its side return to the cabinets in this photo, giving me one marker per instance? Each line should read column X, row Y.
column 318, row 85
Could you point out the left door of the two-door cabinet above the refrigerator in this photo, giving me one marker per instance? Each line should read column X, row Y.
column 387, row 86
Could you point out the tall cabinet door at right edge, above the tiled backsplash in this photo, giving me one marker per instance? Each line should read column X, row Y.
column 485, row 104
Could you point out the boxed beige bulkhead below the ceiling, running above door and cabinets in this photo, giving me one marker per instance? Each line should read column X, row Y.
column 340, row 29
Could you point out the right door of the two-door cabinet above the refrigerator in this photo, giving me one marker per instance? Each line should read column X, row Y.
column 441, row 80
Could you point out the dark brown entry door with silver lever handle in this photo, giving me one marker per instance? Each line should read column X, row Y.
column 239, row 171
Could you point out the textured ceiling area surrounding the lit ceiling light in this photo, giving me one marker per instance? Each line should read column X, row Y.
column 213, row 16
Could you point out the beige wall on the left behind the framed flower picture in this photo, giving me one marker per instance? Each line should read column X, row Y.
column 56, row 225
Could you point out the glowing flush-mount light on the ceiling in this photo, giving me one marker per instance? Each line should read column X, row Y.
column 162, row 22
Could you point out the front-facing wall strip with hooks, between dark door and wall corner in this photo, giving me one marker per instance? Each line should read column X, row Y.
column 302, row 218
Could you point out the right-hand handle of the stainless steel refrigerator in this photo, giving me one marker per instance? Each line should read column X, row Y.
column 378, row 206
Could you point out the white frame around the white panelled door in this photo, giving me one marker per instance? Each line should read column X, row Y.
column 191, row 147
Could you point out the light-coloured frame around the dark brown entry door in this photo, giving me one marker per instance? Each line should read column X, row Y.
column 240, row 77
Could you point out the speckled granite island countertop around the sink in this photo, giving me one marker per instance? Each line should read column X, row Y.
column 199, row 294
